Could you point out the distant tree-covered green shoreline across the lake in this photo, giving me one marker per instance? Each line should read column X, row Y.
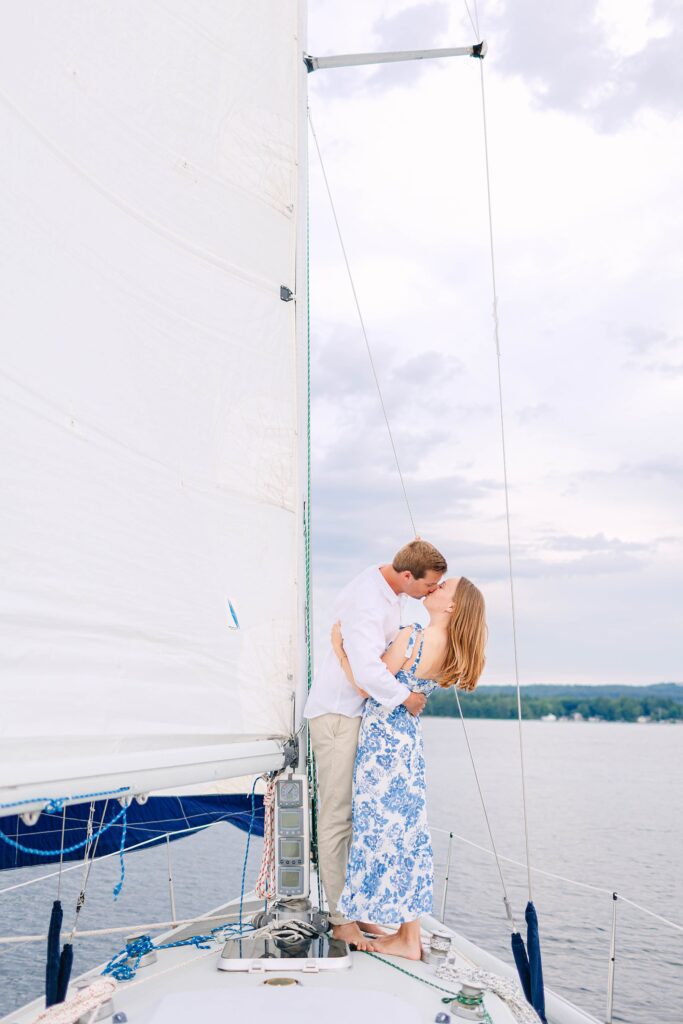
column 662, row 703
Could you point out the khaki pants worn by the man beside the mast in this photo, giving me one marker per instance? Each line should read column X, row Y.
column 334, row 739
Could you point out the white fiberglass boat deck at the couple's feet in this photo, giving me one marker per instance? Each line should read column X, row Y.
column 185, row 986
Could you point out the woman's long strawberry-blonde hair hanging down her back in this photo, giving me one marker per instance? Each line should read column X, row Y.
column 465, row 659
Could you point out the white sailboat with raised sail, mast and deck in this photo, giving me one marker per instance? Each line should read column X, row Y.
column 156, row 438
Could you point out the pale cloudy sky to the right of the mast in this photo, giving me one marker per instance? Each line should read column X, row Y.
column 584, row 111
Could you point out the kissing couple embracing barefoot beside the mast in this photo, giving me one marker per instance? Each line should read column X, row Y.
column 375, row 854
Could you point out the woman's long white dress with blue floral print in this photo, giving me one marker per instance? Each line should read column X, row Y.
column 391, row 874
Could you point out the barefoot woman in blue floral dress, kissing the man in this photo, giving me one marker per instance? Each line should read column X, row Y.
column 390, row 879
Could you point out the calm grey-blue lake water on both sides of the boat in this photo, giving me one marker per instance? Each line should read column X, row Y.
column 606, row 808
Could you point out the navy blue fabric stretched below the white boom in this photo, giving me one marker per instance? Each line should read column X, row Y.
column 148, row 824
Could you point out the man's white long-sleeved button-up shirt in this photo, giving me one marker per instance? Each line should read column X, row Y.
column 370, row 614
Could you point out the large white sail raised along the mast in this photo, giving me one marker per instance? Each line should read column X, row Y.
column 148, row 411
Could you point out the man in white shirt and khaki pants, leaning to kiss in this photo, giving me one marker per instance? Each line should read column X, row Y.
column 370, row 613
